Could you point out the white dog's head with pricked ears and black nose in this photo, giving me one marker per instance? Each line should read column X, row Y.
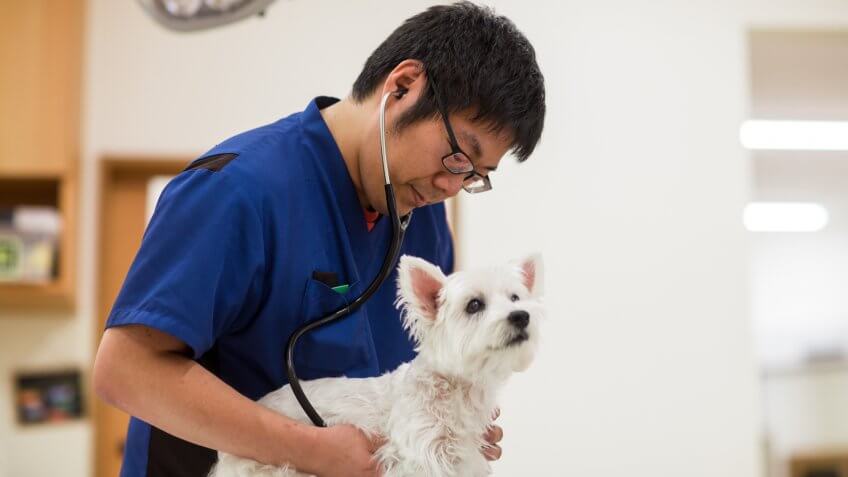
column 473, row 323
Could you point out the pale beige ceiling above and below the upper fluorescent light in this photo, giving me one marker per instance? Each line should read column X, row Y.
column 800, row 74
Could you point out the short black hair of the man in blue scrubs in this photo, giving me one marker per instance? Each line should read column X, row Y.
column 479, row 61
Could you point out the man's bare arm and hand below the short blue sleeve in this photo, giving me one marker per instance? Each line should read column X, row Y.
column 147, row 373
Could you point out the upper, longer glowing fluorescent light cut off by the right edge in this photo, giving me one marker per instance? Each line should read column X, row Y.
column 794, row 135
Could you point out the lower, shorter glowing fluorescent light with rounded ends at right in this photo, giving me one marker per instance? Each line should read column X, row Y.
column 785, row 217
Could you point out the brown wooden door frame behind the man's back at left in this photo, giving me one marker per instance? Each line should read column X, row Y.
column 109, row 168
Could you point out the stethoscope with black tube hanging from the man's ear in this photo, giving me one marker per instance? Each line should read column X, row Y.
column 399, row 225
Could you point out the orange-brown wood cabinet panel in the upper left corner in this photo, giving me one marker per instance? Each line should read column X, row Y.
column 40, row 84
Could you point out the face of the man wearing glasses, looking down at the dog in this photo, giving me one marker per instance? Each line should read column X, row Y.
column 415, row 158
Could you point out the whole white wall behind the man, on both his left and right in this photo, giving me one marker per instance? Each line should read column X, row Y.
column 634, row 197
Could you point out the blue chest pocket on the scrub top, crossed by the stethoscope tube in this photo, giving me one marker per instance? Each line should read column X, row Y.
column 343, row 347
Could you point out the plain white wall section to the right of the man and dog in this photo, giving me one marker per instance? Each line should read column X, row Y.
column 648, row 368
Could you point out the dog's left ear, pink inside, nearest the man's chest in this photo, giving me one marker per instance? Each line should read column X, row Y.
column 419, row 285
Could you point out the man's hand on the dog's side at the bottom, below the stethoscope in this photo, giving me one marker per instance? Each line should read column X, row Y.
column 347, row 452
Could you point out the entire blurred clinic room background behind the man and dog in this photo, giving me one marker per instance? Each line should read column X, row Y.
column 690, row 197
